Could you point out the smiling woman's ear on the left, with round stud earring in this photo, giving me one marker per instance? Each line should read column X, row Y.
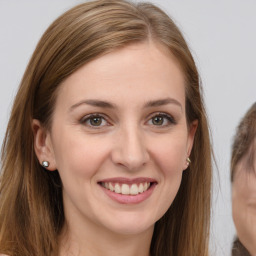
column 43, row 145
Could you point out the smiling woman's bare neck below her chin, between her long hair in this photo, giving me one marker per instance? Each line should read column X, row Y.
column 77, row 241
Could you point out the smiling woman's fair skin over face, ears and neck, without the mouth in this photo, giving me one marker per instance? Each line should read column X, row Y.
column 128, row 144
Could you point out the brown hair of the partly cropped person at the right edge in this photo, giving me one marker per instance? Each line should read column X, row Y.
column 244, row 147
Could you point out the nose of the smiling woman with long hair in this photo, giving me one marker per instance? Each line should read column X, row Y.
column 129, row 149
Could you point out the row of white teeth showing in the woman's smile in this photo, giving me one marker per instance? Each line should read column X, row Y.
column 125, row 189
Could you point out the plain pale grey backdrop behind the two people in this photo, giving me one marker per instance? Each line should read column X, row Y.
column 222, row 37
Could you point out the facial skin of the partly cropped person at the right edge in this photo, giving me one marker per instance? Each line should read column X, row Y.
column 244, row 205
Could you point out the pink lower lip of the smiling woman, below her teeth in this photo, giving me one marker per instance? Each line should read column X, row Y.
column 130, row 199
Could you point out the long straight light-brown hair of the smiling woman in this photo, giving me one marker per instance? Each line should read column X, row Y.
column 31, row 210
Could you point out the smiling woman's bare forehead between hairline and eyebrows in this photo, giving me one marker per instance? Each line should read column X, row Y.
column 145, row 69
